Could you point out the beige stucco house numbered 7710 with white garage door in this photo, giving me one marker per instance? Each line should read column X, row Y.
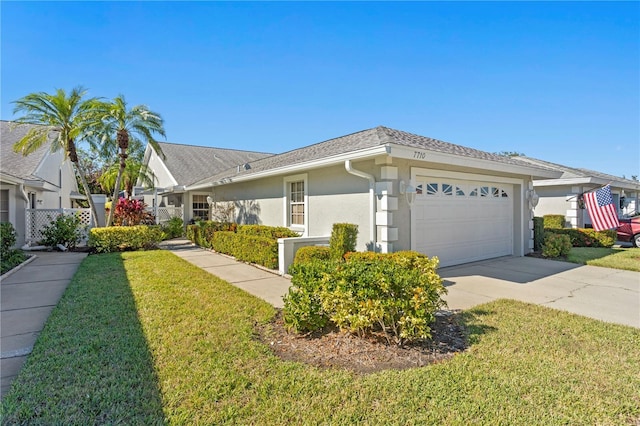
column 404, row 191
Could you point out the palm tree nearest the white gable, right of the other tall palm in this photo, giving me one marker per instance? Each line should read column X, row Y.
column 125, row 124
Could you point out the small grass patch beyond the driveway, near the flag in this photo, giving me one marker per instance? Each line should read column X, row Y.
column 617, row 258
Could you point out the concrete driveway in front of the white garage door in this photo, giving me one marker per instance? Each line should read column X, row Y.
column 609, row 295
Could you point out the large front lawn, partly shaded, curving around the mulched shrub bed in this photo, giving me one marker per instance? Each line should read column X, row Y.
column 146, row 338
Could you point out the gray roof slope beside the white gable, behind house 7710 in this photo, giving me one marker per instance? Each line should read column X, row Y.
column 189, row 163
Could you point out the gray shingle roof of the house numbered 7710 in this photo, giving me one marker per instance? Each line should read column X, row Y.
column 371, row 138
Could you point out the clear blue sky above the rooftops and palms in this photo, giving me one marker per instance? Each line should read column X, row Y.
column 557, row 81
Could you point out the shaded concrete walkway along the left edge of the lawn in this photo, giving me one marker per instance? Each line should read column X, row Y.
column 27, row 297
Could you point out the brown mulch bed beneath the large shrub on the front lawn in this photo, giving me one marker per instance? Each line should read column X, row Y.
column 332, row 348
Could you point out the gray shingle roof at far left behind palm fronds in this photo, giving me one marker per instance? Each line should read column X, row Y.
column 16, row 164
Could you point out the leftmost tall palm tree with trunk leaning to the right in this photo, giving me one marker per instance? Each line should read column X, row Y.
column 66, row 115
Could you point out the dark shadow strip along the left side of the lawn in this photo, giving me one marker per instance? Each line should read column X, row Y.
column 91, row 363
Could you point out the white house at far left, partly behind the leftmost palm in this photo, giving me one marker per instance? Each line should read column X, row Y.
column 41, row 180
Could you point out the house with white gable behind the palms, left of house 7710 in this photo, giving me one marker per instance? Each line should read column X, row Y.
column 185, row 164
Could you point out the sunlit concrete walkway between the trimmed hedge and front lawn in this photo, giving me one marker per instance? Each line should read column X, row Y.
column 259, row 282
